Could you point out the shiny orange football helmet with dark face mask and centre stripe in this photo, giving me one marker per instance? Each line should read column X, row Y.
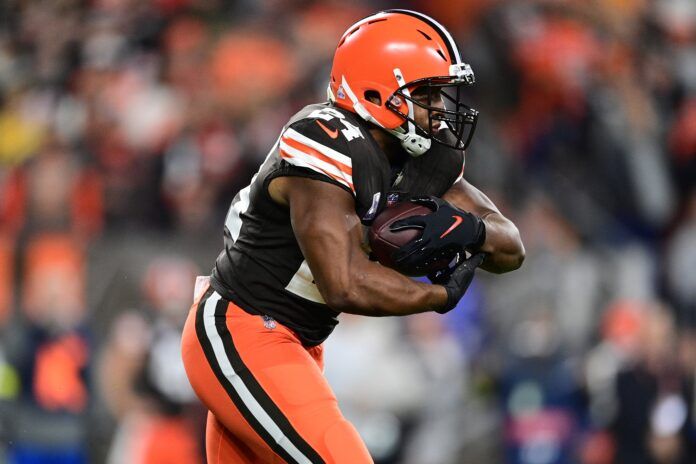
column 389, row 55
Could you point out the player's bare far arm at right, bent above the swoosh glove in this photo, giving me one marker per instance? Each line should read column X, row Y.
column 503, row 244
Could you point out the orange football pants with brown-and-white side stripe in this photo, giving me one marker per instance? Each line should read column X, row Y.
column 268, row 401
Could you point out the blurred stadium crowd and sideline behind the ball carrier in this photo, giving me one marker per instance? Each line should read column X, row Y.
column 126, row 126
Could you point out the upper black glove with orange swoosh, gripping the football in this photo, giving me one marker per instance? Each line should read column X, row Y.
column 447, row 231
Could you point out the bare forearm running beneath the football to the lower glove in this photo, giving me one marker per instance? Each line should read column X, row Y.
column 373, row 290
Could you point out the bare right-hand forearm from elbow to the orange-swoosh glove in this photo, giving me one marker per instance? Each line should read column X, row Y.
column 503, row 244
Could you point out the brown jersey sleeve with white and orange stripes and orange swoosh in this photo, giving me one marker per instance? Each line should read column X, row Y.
column 316, row 148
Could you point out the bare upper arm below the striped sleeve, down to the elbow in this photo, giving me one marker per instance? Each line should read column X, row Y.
column 327, row 230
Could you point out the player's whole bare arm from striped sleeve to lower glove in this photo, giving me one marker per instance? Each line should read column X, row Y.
column 329, row 234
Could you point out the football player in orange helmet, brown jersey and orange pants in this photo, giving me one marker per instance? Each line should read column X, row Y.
column 394, row 129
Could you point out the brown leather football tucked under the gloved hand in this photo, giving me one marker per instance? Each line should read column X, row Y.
column 384, row 242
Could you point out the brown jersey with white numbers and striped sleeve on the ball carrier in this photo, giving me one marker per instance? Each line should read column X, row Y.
column 261, row 267
